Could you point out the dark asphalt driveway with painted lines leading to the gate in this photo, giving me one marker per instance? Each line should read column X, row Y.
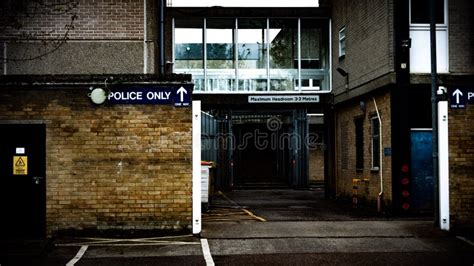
column 245, row 228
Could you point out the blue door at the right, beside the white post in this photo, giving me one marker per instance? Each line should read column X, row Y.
column 422, row 185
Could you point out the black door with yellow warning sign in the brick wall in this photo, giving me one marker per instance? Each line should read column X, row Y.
column 22, row 180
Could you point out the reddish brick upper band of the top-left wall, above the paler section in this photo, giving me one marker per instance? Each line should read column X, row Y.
column 99, row 19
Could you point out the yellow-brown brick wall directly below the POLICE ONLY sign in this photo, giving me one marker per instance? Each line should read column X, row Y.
column 109, row 167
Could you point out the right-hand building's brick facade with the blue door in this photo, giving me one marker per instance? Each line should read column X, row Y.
column 382, row 48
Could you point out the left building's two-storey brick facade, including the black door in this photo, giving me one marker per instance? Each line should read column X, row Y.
column 78, row 165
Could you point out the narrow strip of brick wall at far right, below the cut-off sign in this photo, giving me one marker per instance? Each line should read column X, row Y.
column 461, row 167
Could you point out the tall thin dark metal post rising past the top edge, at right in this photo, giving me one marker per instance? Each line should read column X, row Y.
column 434, row 108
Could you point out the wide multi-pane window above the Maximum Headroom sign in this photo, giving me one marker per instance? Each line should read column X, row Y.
column 253, row 54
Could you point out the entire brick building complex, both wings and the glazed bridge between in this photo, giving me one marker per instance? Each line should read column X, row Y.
column 291, row 97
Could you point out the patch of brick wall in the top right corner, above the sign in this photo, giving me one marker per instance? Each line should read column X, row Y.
column 461, row 40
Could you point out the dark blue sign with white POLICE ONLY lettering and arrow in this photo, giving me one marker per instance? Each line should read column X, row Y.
column 177, row 96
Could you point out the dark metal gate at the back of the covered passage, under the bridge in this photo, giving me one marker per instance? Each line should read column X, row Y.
column 234, row 139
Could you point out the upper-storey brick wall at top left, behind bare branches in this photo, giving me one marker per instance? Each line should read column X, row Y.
column 107, row 37
